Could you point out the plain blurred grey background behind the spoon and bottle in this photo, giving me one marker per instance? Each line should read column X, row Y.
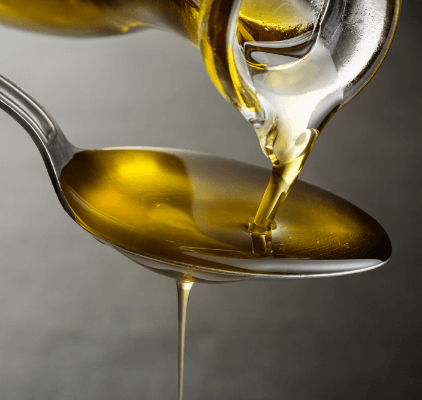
column 79, row 321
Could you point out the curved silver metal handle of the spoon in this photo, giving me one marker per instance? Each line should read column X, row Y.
column 55, row 149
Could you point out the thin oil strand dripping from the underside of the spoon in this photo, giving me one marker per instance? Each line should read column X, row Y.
column 184, row 287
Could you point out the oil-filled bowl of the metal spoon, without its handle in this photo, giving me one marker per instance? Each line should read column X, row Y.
column 190, row 212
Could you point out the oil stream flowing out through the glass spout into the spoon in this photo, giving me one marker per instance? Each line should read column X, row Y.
column 297, row 85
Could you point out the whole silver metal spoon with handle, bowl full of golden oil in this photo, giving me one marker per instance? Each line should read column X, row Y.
column 318, row 234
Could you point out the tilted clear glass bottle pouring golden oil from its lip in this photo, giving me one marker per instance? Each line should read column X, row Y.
column 241, row 39
